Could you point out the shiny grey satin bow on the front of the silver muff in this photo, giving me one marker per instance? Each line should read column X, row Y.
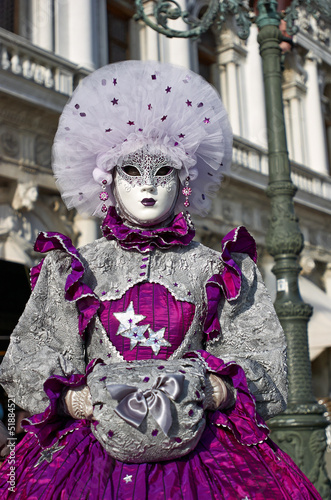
column 134, row 403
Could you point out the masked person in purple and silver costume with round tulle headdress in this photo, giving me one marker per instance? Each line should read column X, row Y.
column 133, row 351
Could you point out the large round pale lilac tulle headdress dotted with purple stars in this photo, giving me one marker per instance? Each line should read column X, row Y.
column 124, row 107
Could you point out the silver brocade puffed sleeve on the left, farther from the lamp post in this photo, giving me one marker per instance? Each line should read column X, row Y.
column 46, row 340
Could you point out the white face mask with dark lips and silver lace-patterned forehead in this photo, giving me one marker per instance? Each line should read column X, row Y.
column 146, row 187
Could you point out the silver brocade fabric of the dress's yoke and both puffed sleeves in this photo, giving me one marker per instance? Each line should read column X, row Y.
column 46, row 340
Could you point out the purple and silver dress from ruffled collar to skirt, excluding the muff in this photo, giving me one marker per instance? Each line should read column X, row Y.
column 152, row 296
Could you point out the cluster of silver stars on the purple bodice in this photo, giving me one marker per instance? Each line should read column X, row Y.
column 130, row 329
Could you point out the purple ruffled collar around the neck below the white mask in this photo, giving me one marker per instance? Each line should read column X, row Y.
column 179, row 232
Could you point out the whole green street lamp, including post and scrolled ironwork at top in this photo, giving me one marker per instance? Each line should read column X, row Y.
column 300, row 430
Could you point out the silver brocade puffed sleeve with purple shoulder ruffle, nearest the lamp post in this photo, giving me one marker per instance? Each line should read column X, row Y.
column 244, row 328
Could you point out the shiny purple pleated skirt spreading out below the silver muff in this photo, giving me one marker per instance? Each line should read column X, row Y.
column 219, row 468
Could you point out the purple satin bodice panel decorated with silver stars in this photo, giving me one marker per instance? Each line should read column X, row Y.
column 162, row 321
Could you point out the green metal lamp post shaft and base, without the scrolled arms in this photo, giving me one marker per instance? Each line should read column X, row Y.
column 300, row 430
